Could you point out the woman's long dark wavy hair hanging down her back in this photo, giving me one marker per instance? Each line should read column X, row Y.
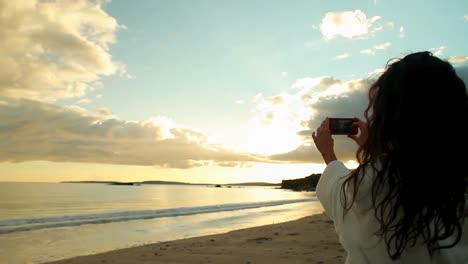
column 417, row 149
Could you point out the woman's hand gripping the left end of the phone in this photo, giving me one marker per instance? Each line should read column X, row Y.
column 324, row 141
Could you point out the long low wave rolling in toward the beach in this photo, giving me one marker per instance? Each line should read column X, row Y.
column 28, row 224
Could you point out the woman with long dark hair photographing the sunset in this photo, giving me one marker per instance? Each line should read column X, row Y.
column 406, row 202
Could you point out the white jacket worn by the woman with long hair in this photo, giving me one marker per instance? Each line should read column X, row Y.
column 356, row 231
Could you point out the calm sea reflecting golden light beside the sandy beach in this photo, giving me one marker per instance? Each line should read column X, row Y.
column 41, row 222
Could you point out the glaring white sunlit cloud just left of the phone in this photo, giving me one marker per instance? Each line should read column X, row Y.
column 275, row 119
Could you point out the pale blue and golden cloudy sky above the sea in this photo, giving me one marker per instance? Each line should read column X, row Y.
column 198, row 91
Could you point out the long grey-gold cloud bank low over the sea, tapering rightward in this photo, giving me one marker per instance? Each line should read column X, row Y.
column 32, row 130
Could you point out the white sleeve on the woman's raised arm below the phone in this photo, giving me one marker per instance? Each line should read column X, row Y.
column 329, row 190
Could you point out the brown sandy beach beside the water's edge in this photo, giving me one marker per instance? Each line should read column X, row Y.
column 311, row 239
